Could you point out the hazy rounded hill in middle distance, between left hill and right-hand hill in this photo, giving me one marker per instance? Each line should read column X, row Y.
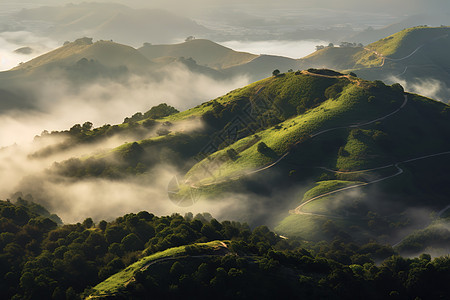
column 204, row 52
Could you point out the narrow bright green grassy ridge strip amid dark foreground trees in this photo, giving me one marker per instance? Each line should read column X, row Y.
column 114, row 283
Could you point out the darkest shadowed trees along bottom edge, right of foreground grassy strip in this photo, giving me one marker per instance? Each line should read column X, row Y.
column 291, row 274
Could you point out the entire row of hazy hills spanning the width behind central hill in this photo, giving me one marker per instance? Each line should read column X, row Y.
column 413, row 55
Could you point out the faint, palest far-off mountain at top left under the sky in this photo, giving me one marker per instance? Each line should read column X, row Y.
column 114, row 21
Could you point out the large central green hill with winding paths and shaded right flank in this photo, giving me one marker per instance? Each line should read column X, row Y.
column 313, row 147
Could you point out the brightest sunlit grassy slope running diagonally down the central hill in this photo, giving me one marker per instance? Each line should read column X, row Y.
column 351, row 107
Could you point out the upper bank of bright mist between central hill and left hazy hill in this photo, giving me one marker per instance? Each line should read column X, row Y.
column 61, row 106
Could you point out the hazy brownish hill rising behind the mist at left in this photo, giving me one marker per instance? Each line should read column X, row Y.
column 84, row 62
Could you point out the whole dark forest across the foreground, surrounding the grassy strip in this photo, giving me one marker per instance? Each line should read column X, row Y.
column 40, row 260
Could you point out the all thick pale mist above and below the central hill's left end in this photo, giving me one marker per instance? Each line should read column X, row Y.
column 61, row 106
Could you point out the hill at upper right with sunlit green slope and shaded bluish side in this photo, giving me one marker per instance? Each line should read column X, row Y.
column 416, row 55
